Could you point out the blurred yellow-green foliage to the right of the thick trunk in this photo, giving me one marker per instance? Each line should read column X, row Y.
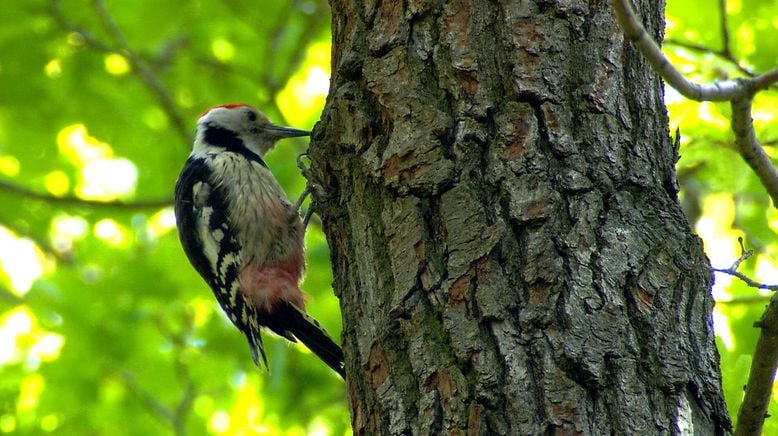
column 721, row 195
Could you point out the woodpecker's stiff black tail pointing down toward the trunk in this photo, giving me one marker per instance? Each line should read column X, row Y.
column 292, row 322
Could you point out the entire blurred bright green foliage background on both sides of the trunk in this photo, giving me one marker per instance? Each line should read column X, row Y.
column 104, row 327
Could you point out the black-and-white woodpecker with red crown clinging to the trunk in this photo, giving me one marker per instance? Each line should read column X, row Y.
column 242, row 234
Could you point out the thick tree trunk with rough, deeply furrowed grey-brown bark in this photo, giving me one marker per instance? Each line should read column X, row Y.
column 507, row 242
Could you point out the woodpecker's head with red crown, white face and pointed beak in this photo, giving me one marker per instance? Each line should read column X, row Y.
column 238, row 126
